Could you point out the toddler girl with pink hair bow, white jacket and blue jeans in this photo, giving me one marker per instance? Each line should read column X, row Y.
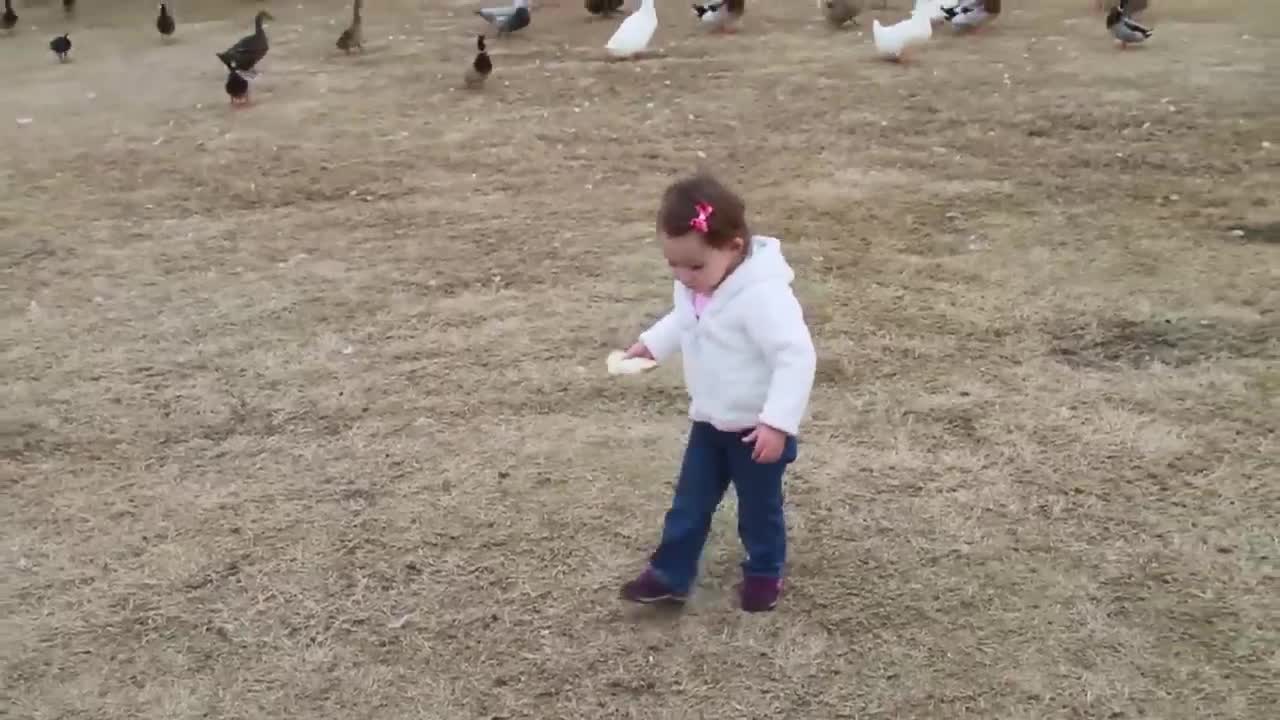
column 749, row 364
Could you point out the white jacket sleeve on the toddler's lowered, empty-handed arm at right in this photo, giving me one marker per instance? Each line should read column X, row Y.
column 778, row 327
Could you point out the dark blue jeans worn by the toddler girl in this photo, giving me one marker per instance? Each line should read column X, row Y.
column 712, row 461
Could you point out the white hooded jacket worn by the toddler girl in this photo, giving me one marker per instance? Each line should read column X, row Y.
column 749, row 359
